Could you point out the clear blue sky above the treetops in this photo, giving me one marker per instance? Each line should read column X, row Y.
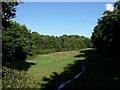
column 58, row 18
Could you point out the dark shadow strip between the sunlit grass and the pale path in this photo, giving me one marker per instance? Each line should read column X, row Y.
column 69, row 72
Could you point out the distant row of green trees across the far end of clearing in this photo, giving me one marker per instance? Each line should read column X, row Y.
column 47, row 44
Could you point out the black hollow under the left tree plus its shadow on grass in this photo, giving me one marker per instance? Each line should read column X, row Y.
column 17, row 60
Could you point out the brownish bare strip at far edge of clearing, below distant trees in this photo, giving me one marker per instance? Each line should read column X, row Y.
column 66, row 53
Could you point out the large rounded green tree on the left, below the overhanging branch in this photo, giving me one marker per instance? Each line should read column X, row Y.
column 16, row 42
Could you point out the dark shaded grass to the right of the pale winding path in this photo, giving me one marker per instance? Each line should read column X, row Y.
column 102, row 71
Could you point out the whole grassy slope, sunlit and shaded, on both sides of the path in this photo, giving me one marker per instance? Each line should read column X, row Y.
column 102, row 70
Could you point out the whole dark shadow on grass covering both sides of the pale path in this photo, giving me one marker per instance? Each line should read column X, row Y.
column 102, row 71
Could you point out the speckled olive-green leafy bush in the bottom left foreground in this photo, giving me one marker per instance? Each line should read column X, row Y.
column 16, row 79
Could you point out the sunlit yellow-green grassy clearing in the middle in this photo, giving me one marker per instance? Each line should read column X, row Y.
column 45, row 65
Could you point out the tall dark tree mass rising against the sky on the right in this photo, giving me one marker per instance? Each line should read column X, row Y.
column 106, row 33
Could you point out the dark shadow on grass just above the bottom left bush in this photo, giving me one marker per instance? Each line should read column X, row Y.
column 20, row 65
